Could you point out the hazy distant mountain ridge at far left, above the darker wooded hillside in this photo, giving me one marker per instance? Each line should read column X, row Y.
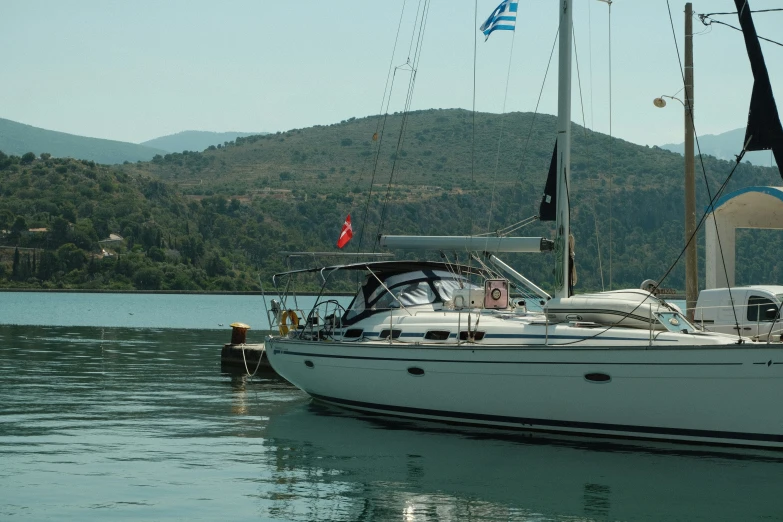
column 18, row 138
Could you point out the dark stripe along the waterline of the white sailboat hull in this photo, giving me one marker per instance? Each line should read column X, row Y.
column 527, row 423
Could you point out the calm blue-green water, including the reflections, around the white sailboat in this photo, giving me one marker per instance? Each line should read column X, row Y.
column 102, row 423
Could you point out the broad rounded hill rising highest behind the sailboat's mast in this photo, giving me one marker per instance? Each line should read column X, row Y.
column 632, row 191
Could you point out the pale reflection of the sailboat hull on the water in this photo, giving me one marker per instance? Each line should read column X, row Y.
column 332, row 464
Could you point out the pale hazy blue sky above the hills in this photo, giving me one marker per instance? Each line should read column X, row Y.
column 135, row 70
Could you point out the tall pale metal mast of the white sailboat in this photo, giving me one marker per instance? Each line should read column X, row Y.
column 563, row 221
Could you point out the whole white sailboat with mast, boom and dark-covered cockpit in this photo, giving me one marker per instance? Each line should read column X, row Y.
column 445, row 342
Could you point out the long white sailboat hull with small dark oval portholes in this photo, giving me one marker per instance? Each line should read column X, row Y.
column 717, row 395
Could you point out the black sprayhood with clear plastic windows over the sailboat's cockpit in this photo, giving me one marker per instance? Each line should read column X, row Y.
column 420, row 287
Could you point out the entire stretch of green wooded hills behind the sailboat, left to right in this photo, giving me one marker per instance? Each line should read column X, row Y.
column 216, row 219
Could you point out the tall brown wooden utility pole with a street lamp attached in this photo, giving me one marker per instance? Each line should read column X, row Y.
column 691, row 267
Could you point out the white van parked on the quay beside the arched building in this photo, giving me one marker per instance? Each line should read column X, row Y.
column 755, row 312
